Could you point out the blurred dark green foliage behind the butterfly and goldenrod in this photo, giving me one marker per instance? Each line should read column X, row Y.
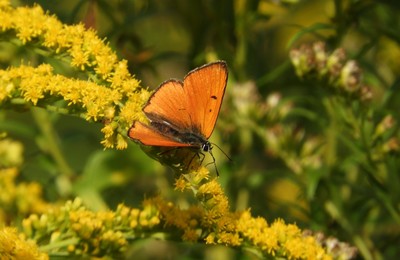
column 271, row 121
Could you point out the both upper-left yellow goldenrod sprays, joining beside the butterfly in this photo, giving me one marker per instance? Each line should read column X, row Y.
column 110, row 93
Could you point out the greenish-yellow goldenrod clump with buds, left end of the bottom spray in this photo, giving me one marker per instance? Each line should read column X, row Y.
column 86, row 231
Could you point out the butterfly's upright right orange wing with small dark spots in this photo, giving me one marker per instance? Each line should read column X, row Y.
column 204, row 89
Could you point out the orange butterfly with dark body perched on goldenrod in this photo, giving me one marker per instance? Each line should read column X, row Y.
column 183, row 114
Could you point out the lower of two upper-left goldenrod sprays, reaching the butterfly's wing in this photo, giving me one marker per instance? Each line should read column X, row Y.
column 95, row 101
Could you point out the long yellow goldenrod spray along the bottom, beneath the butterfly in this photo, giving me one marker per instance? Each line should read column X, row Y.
column 76, row 230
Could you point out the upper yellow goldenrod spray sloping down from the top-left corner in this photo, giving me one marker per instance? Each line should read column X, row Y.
column 84, row 48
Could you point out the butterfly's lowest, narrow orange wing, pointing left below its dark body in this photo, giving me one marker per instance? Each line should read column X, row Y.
column 149, row 136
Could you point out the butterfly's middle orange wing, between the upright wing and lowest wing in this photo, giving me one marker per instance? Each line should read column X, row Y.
column 169, row 103
